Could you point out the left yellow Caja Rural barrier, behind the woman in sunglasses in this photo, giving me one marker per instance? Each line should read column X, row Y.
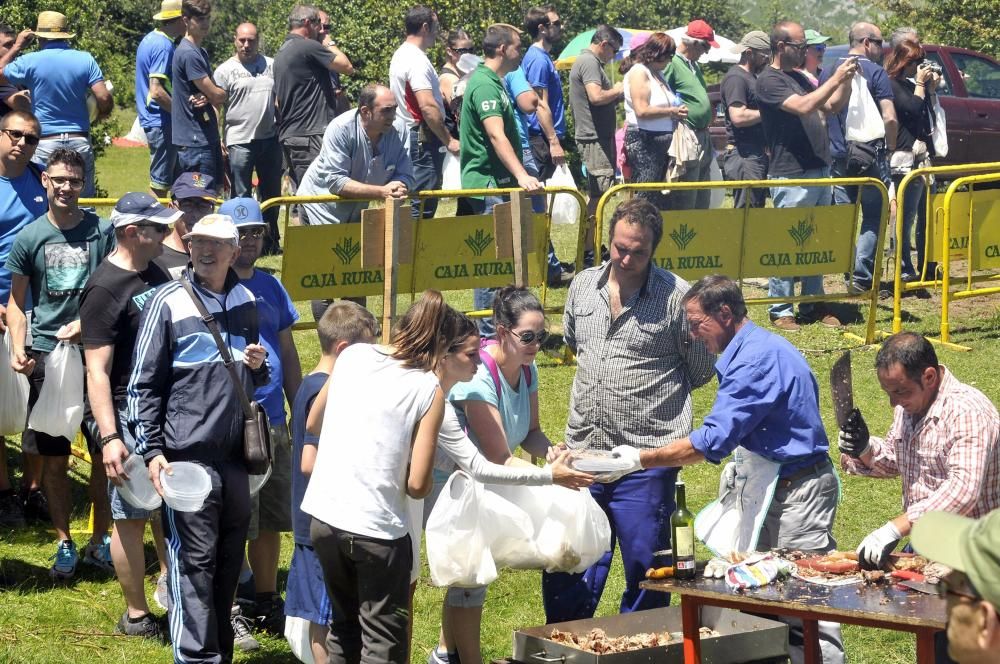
column 367, row 283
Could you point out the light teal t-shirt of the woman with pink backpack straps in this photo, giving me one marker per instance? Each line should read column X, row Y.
column 515, row 407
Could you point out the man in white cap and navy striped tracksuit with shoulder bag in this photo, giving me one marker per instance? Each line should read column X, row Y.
column 183, row 405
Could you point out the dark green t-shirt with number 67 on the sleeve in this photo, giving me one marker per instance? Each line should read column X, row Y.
column 485, row 97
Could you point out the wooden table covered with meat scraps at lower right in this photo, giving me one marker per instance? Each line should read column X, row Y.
column 886, row 607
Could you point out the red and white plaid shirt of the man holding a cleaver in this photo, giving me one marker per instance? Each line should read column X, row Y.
column 949, row 459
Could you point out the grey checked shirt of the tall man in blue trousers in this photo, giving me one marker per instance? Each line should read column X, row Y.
column 634, row 375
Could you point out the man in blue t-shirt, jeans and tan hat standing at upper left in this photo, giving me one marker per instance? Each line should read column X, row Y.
column 153, row 70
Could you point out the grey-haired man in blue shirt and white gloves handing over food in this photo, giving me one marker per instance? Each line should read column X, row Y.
column 768, row 404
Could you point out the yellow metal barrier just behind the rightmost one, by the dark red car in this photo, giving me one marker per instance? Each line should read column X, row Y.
column 931, row 221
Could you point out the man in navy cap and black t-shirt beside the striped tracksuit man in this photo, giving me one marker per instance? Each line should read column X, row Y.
column 110, row 306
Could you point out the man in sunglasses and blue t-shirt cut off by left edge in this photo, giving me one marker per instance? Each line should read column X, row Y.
column 22, row 200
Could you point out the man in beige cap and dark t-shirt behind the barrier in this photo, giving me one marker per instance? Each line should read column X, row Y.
column 745, row 157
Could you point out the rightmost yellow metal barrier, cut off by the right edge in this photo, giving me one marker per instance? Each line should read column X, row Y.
column 981, row 245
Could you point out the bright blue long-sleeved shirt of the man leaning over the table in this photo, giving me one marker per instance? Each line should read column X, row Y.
column 768, row 402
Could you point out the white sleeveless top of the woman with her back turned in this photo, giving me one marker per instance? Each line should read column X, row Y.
column 359, row 481
